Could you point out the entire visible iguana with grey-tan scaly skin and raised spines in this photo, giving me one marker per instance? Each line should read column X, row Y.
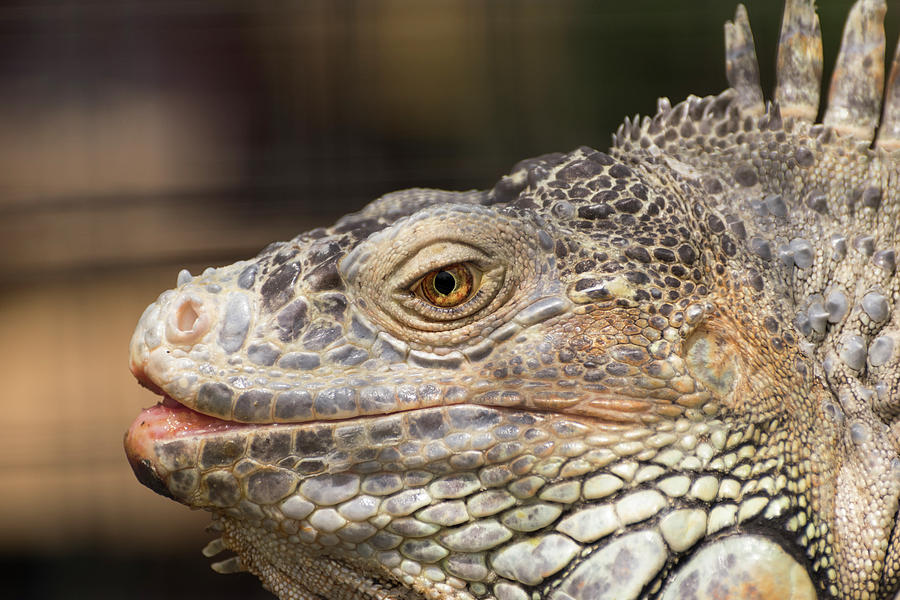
column 665, row 371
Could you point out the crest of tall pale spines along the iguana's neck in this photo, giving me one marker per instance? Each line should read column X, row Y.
column 854, row 107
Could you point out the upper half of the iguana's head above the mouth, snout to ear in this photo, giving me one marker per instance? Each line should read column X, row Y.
column 565, row 289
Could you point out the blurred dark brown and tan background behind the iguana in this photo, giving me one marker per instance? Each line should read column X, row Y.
column 137, row 138
